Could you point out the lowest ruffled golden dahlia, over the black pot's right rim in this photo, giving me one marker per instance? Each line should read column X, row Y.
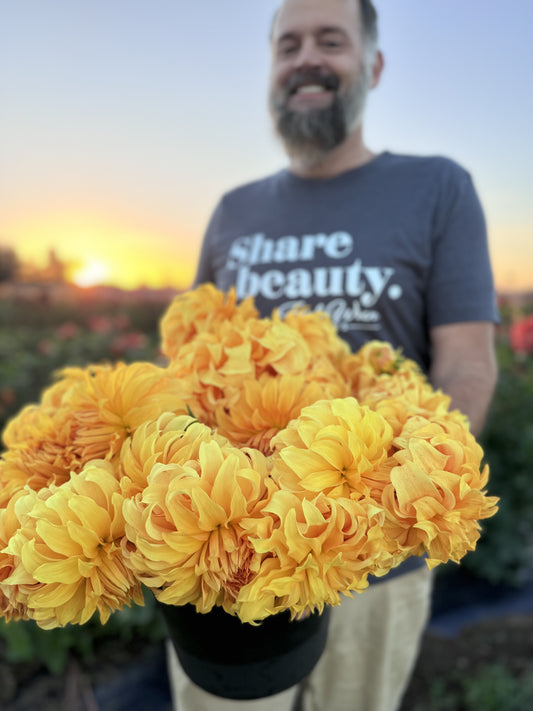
column 314, row 551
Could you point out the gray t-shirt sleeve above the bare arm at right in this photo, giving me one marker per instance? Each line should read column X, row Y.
column 460, row 286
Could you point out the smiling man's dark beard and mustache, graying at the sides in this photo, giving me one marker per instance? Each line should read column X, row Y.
column 310, row 135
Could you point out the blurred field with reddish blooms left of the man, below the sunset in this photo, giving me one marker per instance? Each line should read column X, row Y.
column 36, row 339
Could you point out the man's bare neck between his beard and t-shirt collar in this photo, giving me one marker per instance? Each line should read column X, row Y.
column 350, row 154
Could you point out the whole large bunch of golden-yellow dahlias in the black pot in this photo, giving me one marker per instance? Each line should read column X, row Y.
column 265, row 468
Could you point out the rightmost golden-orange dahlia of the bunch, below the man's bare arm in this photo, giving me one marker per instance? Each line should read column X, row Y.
column 436, row 493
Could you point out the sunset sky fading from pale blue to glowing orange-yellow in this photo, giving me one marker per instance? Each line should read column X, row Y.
column 123, row 121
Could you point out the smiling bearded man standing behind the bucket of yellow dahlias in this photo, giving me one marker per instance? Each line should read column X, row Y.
column 394, row 248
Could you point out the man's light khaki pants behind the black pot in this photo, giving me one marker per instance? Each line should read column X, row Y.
column 371, row 651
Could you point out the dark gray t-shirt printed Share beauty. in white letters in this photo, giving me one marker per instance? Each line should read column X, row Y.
column 389, row 249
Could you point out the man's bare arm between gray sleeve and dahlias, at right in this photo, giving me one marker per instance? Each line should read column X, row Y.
column 464, row 367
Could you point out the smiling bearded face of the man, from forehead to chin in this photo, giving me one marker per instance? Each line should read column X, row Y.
column 319, row 79
